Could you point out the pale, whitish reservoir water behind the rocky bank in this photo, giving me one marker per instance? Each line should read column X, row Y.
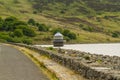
column 112, row 49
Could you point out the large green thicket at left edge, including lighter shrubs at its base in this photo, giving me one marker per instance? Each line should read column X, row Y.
column 14, row 30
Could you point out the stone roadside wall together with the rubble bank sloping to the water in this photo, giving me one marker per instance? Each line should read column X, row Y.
column 84, row 65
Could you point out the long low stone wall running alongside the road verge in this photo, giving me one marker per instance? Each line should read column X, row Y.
column 77, row 66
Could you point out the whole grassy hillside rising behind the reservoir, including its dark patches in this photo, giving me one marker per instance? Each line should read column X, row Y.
column 91, row 21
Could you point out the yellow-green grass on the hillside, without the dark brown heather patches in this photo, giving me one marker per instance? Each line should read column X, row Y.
column 23, row 10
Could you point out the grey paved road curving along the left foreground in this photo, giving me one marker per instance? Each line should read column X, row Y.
column 16, row 66
